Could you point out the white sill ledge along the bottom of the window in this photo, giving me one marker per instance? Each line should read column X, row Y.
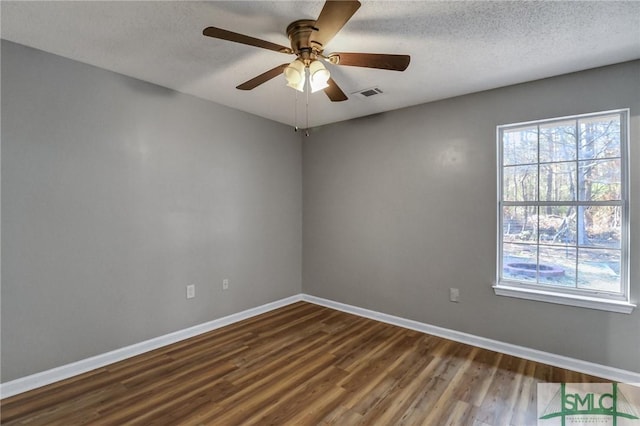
column 623, row 307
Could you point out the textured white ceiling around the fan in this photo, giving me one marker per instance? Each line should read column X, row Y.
column 456, row 47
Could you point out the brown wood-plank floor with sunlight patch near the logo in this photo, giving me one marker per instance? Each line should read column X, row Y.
column 301, row 365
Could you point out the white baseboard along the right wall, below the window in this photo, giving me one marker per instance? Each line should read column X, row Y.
column 603, row 371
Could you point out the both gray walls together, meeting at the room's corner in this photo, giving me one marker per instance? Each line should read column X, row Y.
column 117, row 193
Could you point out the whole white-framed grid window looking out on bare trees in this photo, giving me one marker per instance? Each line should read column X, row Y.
column 563, row 212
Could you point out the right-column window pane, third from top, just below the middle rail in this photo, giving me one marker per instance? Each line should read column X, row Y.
column 601, row 226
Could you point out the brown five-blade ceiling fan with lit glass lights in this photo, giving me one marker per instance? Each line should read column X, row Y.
column 308, row 38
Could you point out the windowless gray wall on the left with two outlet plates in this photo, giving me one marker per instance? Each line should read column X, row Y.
column 116, row 194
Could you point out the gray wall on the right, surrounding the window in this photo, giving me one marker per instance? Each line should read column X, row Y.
column 399, row 207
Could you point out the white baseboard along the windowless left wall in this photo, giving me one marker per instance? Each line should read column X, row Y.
column 47, row 377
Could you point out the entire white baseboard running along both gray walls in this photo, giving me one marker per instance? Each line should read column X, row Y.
column 37, row 380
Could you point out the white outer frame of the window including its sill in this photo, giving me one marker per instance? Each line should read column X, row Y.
column 618, row 302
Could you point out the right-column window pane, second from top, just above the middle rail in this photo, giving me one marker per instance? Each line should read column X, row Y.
column 599, row 180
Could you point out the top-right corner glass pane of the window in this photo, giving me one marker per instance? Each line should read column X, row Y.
column 600, row 137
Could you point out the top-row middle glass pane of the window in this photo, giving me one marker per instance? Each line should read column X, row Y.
column 558, row 141
